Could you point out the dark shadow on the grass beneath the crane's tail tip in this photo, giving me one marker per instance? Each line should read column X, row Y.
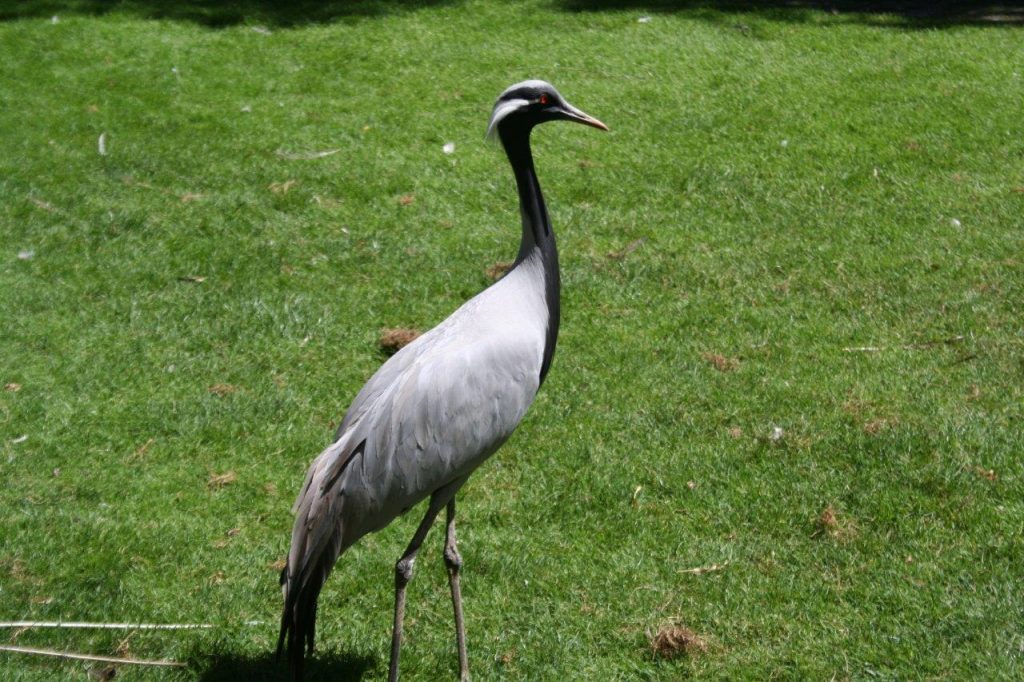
column 325, row 667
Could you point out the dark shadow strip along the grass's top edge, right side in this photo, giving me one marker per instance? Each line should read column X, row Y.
column 917, row 14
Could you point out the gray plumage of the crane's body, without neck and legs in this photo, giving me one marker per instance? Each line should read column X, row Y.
column 429, row 417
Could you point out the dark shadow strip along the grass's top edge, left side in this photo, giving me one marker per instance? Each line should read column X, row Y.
column 280, row 14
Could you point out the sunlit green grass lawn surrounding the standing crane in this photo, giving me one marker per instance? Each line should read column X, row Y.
column 803, row 184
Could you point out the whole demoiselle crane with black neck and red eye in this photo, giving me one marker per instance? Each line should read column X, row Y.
column 437, row 409
